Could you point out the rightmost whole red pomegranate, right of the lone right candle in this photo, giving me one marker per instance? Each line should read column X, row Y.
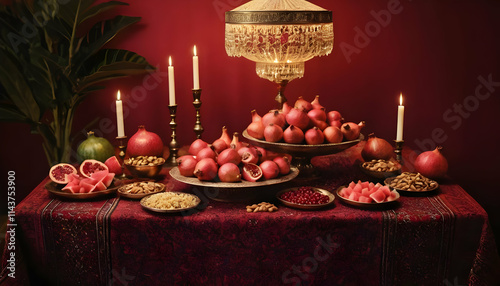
column 432, row 164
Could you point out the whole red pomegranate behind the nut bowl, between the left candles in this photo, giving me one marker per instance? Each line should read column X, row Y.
column 144, row 143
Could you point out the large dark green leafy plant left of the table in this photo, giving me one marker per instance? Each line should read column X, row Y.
column 53, row 57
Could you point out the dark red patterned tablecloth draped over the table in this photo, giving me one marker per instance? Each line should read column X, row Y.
column 440, row 239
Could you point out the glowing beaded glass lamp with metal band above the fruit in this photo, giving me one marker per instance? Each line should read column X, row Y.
column 279, row 35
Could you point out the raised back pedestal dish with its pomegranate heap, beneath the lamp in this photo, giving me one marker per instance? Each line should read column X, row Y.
column 304, row 130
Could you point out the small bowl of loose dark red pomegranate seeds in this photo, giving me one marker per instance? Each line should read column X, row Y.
column 306, row 198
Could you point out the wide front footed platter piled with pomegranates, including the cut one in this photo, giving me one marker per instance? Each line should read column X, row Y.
column 231, row 170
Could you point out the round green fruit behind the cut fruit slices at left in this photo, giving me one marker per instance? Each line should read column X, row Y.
column 96, row 148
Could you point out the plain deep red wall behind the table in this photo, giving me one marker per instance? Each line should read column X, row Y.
column 440, row 54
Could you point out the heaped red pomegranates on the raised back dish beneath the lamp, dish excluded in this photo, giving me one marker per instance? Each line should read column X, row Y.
column 304, row 123
